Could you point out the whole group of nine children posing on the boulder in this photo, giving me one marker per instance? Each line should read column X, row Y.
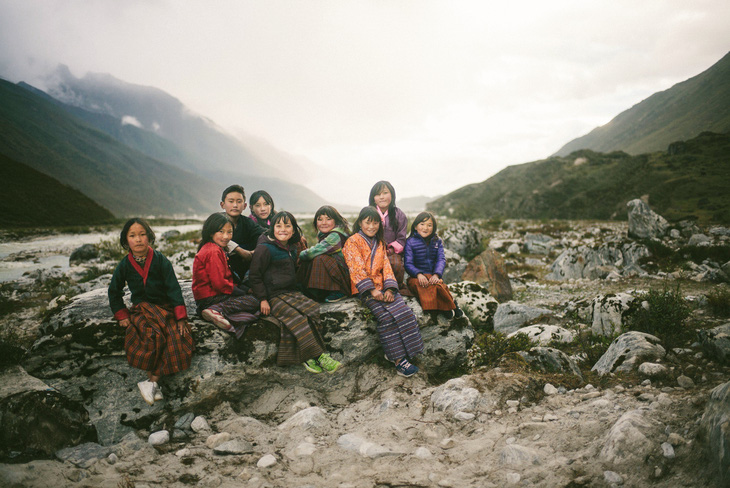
column 262, row 267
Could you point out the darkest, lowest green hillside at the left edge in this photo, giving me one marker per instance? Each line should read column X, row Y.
column 31, row 198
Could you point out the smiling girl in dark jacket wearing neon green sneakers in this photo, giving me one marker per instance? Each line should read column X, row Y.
column 274, row 282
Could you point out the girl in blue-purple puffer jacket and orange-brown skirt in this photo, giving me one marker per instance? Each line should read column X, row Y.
column 425, row 261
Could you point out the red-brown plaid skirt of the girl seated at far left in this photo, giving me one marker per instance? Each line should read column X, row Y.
column 153, row 343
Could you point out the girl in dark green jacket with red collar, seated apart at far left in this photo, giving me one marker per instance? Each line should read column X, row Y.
column 158, row 338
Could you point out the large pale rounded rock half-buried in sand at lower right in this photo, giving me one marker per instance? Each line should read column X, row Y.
column 629, row 440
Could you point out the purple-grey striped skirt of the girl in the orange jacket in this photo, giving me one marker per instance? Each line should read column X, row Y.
column 397, row 328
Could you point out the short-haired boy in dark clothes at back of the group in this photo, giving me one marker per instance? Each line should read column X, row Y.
column 245, row 231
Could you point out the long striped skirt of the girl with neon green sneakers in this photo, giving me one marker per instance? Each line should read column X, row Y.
column 298, row 318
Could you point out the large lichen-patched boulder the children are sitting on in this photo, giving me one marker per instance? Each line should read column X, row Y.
column 81, row 355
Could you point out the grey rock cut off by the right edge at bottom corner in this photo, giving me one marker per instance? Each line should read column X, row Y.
column 714, row 431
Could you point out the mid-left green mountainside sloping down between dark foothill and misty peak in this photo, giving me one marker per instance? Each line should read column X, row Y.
column 39, row 133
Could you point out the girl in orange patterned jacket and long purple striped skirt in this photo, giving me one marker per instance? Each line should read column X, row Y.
column 372, row 279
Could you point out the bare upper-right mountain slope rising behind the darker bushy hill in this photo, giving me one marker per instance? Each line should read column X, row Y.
column 701, row 103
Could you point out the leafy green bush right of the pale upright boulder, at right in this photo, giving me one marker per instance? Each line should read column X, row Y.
column 663, row 316
